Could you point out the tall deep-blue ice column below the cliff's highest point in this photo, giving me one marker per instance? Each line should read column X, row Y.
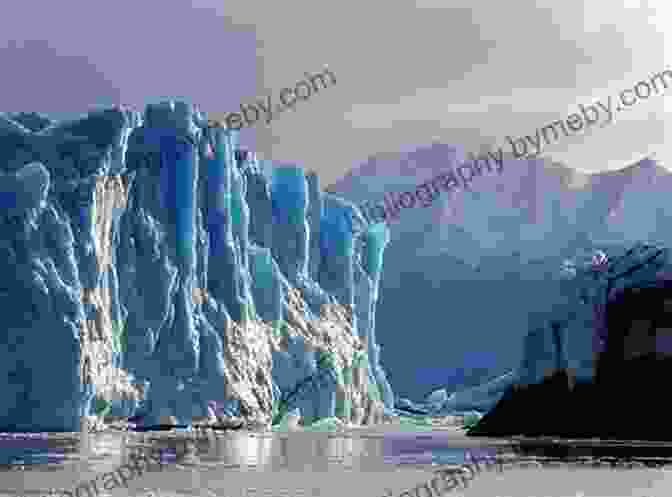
column 164, row 340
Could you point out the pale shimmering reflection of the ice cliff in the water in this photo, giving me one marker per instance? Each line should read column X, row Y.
column 235, row 450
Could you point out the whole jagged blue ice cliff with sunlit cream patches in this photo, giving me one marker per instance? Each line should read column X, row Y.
column 152, row 268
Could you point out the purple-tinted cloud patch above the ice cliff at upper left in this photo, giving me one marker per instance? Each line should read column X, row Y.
column 93, row 53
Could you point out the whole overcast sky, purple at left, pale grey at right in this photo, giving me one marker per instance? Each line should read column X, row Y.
column 408, row 73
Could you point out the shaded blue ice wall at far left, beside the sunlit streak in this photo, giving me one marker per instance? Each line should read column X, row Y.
column 47, row 259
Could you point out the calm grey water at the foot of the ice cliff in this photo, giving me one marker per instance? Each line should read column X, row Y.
column 228, row 464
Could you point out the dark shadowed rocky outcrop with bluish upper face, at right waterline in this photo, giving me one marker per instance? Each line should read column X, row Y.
column 600, row 355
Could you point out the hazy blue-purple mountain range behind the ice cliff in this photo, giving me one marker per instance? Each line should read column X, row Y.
column 462, row 276
